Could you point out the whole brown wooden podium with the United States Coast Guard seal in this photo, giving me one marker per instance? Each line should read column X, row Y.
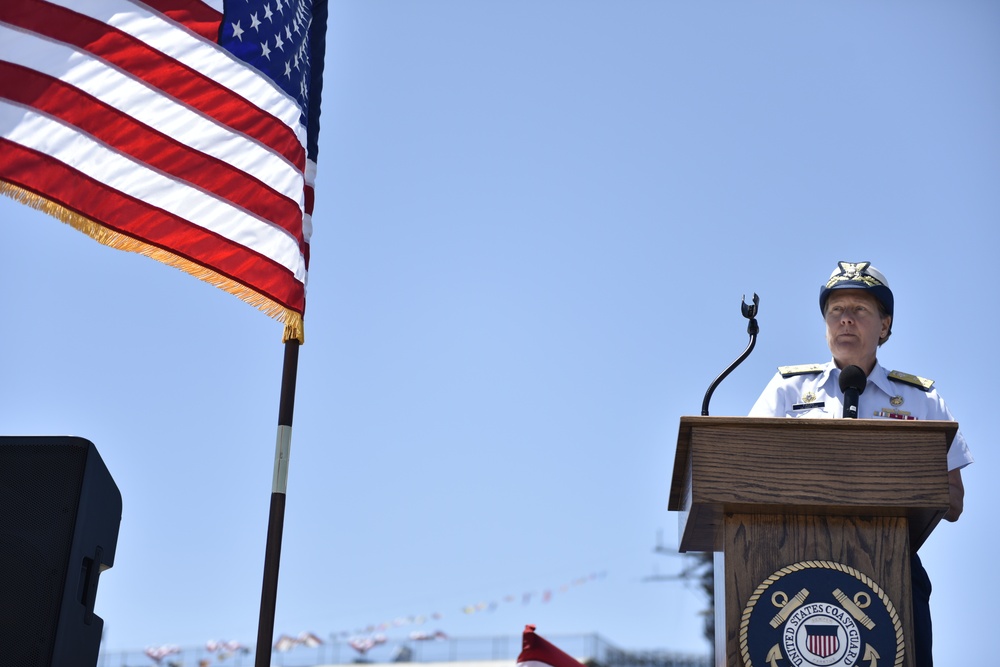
column 816, row 520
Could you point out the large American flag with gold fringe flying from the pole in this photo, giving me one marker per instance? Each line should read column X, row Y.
column 185, row 130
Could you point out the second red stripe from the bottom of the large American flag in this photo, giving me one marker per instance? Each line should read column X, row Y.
column 107, row 124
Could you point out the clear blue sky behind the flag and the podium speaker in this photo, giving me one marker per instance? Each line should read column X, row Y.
column 535, row 224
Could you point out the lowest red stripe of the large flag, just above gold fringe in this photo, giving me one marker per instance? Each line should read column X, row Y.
column 42, row 174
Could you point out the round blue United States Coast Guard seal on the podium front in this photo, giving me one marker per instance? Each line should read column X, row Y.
column 820, row 614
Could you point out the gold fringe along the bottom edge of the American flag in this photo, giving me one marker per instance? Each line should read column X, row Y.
column 291, row 319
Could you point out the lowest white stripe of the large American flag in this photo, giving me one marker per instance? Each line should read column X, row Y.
column 132, row 178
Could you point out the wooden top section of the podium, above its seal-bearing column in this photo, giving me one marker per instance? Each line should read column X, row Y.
column 801, row 466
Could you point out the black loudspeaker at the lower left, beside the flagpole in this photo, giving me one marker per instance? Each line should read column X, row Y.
column 59, row 516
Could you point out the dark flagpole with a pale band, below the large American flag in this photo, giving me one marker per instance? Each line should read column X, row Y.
column 276, row 518
